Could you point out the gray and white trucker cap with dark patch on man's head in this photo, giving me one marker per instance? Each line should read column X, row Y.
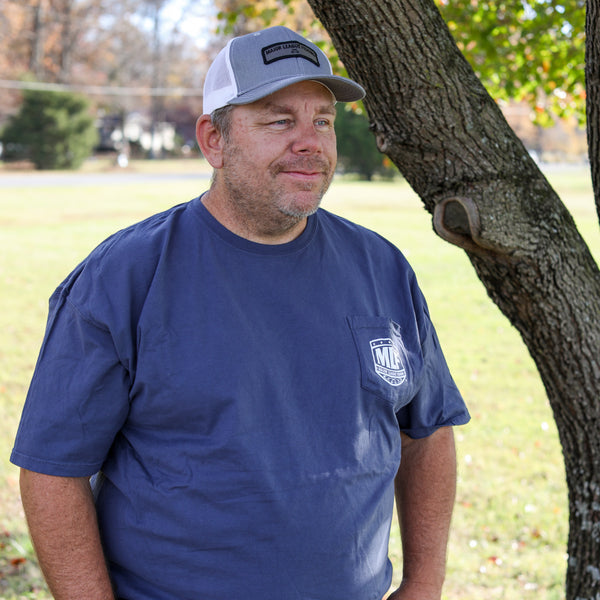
column 255, row 65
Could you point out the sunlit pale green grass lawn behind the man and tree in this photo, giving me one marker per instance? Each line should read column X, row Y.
column 510, row 523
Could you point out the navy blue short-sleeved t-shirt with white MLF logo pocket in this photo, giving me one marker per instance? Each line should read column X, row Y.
column 243, row 403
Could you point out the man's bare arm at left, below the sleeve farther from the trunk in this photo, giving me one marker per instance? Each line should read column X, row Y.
column 62, row 521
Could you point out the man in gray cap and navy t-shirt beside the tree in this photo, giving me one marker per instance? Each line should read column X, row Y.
column 241, row 374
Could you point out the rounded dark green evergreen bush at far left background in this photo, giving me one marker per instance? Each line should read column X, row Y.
column 54, row 130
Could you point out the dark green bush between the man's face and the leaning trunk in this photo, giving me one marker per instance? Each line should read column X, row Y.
column 357, row 150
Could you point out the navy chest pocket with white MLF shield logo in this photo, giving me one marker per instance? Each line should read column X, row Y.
column 391, row 361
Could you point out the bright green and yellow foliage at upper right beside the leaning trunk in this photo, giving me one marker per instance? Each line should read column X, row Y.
column 531, row 51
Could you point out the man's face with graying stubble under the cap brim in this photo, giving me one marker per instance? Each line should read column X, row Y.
column 280, row 156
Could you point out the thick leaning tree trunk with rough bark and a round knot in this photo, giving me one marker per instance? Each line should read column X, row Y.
column 436, row 122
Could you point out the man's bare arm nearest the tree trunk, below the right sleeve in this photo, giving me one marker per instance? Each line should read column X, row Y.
column 425, row 492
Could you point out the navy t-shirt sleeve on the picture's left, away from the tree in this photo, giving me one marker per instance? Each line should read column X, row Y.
column 78, row 397
